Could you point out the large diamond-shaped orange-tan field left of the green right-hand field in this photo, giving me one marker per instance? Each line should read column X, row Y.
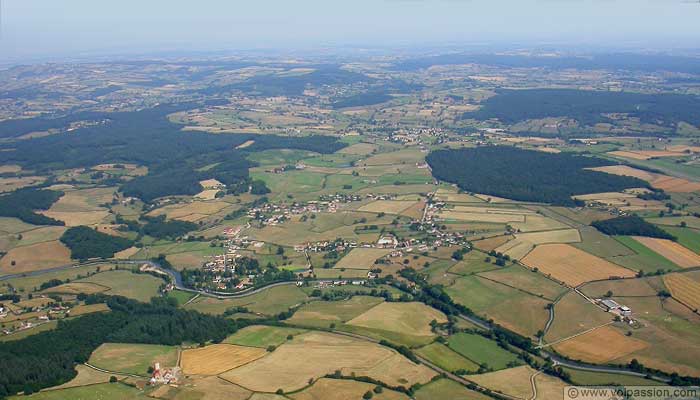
column 572, row 266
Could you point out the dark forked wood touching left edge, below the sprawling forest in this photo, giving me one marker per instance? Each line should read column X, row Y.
column 23, row 202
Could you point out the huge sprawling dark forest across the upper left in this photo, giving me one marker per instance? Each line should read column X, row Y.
column 174, row 158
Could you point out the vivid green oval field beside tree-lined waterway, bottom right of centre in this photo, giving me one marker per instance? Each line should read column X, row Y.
column 481, row 350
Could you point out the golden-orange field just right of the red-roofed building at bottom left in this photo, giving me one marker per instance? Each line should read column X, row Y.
column 218, row 358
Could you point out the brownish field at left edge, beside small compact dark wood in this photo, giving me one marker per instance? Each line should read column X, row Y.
column 35, row 257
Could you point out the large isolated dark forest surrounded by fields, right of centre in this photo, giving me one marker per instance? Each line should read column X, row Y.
column 526, row 175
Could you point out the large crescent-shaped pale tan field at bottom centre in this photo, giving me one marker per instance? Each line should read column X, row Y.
column 316, row 354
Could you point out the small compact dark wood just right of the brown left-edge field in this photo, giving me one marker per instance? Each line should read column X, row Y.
column 85, row 243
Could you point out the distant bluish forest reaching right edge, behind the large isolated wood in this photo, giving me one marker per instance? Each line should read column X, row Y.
column 588, row 106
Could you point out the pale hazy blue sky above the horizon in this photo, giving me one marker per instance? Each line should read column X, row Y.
column 34, row 29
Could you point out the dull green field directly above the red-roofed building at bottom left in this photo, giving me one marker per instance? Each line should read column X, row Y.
column 133, row 358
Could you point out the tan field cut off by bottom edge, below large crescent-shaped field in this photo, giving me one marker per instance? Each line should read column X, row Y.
column 340, row 389
